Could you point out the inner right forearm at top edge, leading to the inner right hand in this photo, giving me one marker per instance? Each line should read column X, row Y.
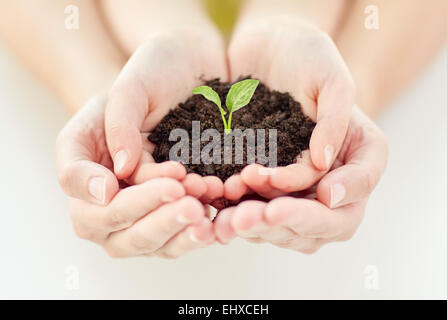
column 324, row 14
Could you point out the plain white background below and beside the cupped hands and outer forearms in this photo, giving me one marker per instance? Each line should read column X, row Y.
column 403, row 235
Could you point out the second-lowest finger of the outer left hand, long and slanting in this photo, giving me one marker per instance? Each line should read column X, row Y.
column 154, row 230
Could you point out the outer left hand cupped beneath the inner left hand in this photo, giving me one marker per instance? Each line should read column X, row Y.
column 153, row 218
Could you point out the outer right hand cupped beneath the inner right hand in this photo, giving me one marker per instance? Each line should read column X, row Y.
column 306, row 224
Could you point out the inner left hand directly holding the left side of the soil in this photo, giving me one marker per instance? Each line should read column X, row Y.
column 160, row 74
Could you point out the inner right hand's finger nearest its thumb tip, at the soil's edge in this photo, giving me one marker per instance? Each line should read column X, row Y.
column 297, row 176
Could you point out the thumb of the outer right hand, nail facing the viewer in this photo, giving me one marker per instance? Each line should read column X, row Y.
column 356, row 179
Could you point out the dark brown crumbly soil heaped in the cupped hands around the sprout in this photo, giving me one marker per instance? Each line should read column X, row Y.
column 266, row 110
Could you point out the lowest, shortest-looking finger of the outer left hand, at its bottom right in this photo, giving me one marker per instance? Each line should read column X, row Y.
column 193, row 237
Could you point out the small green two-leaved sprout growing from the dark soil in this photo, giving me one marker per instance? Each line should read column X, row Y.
column 238, row 97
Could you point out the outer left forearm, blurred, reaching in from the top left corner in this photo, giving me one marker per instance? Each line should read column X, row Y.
column 75, row 63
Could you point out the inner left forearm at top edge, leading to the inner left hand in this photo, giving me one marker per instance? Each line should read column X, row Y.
column 134, row 21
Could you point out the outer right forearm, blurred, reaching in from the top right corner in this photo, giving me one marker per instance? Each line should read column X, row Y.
column 384, row 61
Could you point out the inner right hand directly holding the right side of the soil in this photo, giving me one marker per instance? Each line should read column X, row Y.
column 299, row 59
